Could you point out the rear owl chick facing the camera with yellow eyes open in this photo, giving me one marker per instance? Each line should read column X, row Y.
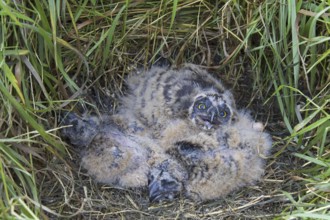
column 162, row 94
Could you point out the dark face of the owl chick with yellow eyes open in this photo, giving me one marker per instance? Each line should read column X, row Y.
column 210, row 111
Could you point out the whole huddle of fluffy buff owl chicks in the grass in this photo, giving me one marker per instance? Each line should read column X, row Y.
column 177, row 132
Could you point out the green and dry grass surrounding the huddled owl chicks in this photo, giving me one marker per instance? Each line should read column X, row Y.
column 57, row 54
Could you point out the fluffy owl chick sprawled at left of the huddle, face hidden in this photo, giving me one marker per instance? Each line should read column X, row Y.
column 112, row 155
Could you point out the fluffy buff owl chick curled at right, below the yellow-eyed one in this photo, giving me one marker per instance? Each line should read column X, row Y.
column 214, row 164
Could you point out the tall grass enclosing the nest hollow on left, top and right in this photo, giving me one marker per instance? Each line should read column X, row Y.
column 51, row 52
